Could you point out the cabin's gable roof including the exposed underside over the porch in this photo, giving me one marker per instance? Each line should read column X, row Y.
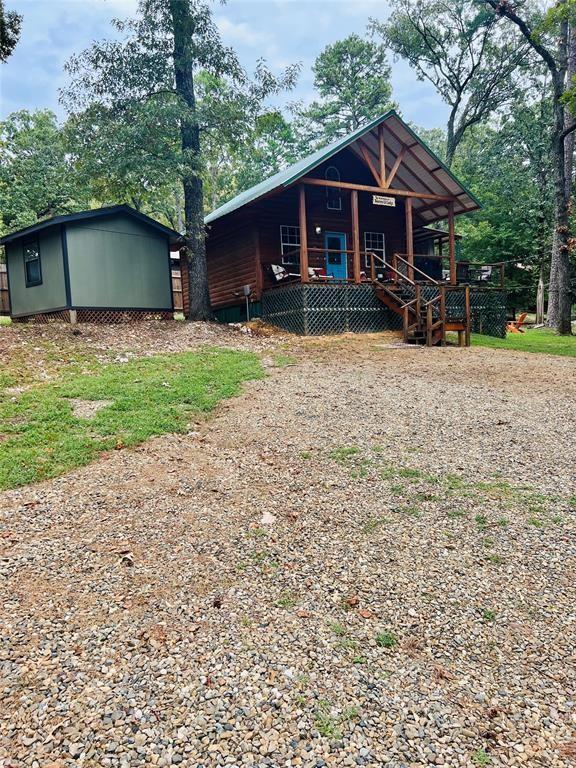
column 420, row 170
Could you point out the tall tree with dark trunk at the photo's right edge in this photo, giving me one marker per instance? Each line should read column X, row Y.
column 549, row 38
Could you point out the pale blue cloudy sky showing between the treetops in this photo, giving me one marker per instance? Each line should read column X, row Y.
column 281, row 31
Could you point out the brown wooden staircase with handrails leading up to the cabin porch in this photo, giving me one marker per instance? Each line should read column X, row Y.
column 424, row 321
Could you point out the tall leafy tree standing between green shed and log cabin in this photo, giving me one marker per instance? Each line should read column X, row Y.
column 153, row 67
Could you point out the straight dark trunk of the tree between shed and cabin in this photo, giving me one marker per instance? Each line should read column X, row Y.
column 194, row 237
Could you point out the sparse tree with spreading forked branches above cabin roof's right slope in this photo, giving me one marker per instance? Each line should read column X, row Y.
column 458, row 48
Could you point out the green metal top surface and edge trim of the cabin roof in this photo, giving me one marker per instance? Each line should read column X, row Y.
column 296, row 171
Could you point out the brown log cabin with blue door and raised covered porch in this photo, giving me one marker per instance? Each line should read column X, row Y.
column 348, row 239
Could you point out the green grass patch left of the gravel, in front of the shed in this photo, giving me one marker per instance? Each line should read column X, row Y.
column 40, row 437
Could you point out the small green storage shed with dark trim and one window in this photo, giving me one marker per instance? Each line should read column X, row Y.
column 104, row 265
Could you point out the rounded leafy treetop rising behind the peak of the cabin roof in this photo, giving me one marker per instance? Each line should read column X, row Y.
column 352, row 77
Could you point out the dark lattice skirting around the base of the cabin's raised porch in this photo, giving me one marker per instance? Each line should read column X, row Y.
column 318, row 309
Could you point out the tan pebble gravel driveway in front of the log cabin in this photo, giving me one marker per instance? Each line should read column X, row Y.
column 366, row 560
